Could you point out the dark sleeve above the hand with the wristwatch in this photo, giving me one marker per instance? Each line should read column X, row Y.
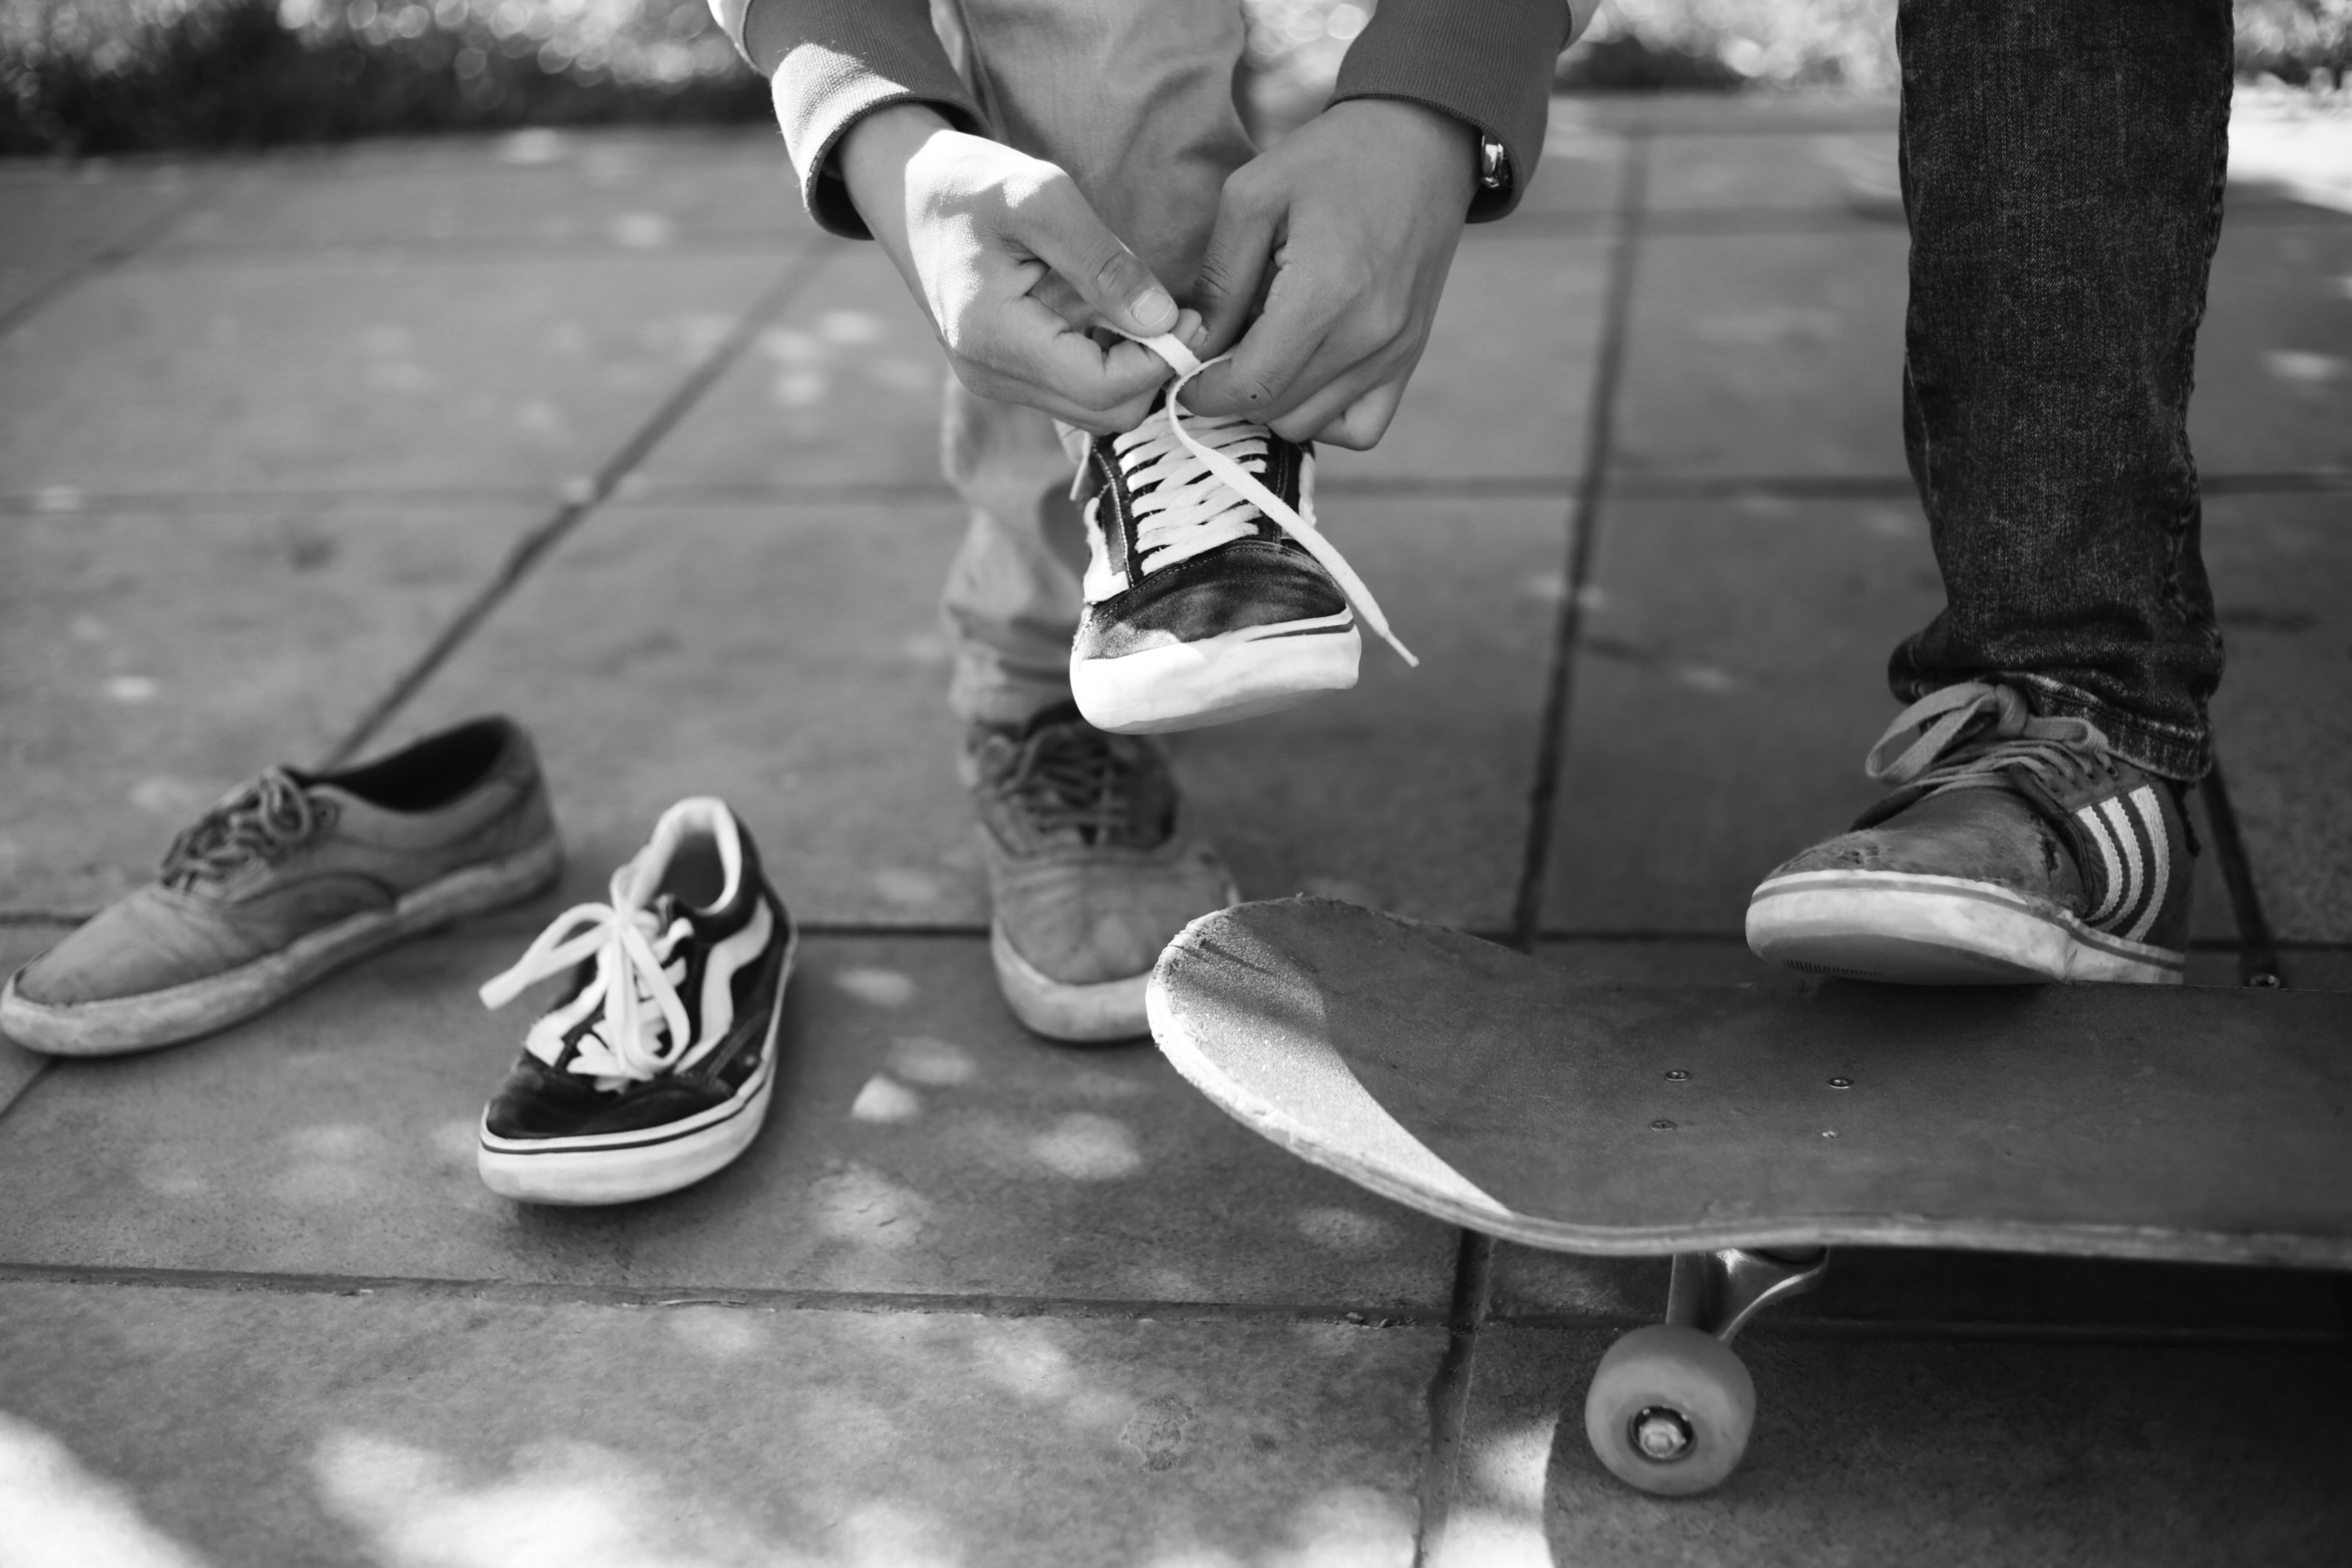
column 1488, row 62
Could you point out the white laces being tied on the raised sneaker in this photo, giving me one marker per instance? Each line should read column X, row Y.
column 1191, row 507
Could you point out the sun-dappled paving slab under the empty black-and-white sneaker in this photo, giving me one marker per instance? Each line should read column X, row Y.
column 921, row 1144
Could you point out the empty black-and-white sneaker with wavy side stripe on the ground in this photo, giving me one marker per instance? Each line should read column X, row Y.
column 655, row 1068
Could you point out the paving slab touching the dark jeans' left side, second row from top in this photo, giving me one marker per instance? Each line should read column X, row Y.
column 1765, row 354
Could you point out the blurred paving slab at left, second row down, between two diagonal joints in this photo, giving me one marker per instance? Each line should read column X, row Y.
column 283, row 373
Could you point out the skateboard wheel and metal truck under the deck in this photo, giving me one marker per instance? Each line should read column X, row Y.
column 1671, row 1405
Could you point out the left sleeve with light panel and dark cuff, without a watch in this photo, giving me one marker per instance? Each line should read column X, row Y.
column 834, row 62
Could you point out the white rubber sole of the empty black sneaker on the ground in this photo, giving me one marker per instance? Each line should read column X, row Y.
column 646, row 1162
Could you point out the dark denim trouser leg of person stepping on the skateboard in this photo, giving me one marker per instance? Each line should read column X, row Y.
column 2064, row 166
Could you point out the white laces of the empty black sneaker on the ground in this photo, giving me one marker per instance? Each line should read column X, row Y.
column 646, row 1024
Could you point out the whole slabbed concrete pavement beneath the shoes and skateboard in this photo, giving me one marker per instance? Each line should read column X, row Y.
column 314, row 453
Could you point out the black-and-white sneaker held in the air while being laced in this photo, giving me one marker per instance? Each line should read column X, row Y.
column 1210, row 594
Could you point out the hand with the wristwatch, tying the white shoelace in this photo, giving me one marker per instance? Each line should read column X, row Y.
column 1337, row 241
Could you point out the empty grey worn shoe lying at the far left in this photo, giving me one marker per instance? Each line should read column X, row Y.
column 288, row 880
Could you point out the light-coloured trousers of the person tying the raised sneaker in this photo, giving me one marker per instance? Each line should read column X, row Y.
column 1135, row 100
